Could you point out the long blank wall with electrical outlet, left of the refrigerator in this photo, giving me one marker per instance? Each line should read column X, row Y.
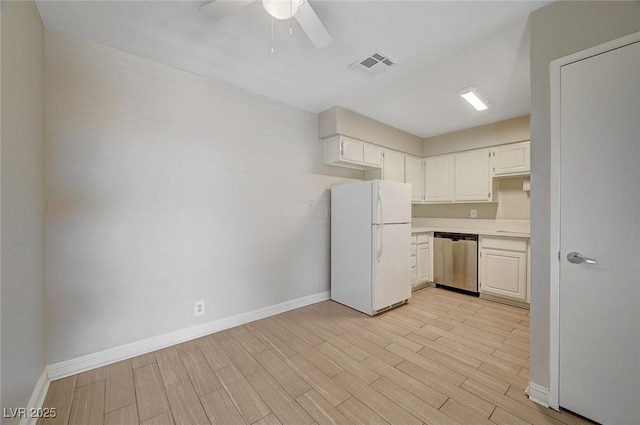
column 165, row 188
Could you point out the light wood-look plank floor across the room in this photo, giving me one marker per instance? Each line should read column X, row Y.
column 445, row 358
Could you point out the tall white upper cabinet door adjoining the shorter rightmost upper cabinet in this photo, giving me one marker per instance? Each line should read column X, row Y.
column 473, row 180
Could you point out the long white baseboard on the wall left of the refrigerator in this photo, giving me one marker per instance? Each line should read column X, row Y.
column 116, row 354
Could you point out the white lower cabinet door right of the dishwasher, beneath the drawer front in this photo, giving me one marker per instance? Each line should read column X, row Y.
column 504, row 273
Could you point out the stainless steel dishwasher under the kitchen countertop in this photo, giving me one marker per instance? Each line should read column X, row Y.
column 455, row 260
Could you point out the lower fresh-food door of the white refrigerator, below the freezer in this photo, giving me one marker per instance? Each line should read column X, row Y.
column 391, row 264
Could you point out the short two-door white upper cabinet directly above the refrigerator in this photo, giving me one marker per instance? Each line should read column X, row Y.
column 344, row 151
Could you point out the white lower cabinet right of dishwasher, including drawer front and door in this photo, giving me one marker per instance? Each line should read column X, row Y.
column 503, row 267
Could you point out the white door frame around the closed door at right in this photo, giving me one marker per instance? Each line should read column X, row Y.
column 555, row 67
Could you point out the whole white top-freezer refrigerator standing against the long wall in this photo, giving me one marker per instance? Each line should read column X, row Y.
column 371, row 245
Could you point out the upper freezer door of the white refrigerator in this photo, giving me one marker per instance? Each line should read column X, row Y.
column 391, row 202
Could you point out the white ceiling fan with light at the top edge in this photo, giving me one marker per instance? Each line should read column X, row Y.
column 301, row 10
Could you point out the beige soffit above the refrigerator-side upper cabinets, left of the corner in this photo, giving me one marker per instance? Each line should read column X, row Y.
column 338, row 120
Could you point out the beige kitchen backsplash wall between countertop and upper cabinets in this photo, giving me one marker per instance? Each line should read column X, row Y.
column 514, row 204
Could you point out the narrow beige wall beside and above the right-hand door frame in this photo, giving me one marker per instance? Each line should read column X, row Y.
column 557, row 30
